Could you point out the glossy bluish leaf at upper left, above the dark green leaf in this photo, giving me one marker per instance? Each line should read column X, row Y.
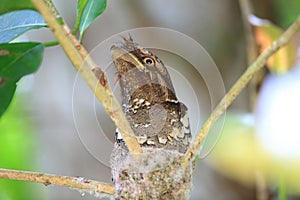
column 15, row 23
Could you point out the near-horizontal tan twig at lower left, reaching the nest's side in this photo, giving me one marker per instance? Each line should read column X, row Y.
column 80, row 183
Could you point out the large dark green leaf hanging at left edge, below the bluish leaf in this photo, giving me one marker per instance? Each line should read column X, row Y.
column 16, row 60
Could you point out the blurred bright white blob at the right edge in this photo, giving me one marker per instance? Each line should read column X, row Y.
column 277, row 112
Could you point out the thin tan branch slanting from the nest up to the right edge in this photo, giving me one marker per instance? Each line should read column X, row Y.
column 237, row 88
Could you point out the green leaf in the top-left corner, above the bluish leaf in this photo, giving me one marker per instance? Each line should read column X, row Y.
column 9, row 5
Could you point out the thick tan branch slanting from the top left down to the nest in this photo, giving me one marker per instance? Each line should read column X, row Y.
column 85, row 66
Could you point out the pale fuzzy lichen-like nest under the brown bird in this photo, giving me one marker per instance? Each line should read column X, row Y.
column 155, row 174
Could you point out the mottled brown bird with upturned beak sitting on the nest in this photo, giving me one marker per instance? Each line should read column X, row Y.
column 149, row 100
